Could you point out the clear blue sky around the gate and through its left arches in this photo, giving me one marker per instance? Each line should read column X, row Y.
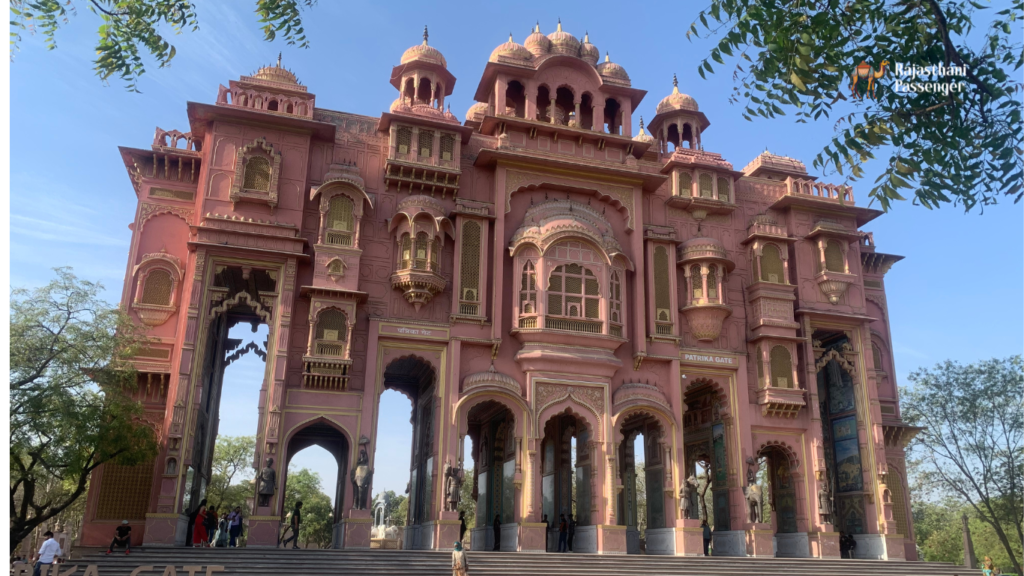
column 958, row 295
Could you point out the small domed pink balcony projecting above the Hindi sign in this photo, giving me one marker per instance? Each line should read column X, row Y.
column 419, row 229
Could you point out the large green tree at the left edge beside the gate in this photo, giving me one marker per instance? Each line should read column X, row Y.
column 71, row 397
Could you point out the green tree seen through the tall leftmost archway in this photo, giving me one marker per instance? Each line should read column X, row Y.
column 233, row 473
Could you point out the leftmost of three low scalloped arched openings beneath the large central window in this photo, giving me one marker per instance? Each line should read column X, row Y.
column 492, row 432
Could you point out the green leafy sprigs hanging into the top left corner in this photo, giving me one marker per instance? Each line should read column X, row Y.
column 132, row 28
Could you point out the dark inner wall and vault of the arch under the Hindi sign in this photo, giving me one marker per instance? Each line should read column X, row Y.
column 416, row 379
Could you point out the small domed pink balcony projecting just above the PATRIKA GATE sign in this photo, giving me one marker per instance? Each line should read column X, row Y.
column 705, row 264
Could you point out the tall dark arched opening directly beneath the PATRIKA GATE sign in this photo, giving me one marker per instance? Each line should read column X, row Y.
column 707, row 451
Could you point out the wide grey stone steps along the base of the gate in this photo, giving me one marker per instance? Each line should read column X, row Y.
column 261, row 562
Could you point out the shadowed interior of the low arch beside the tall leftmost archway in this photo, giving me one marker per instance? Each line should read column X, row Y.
column 332, row 440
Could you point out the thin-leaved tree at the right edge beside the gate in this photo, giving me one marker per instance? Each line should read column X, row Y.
column 972, row 447
